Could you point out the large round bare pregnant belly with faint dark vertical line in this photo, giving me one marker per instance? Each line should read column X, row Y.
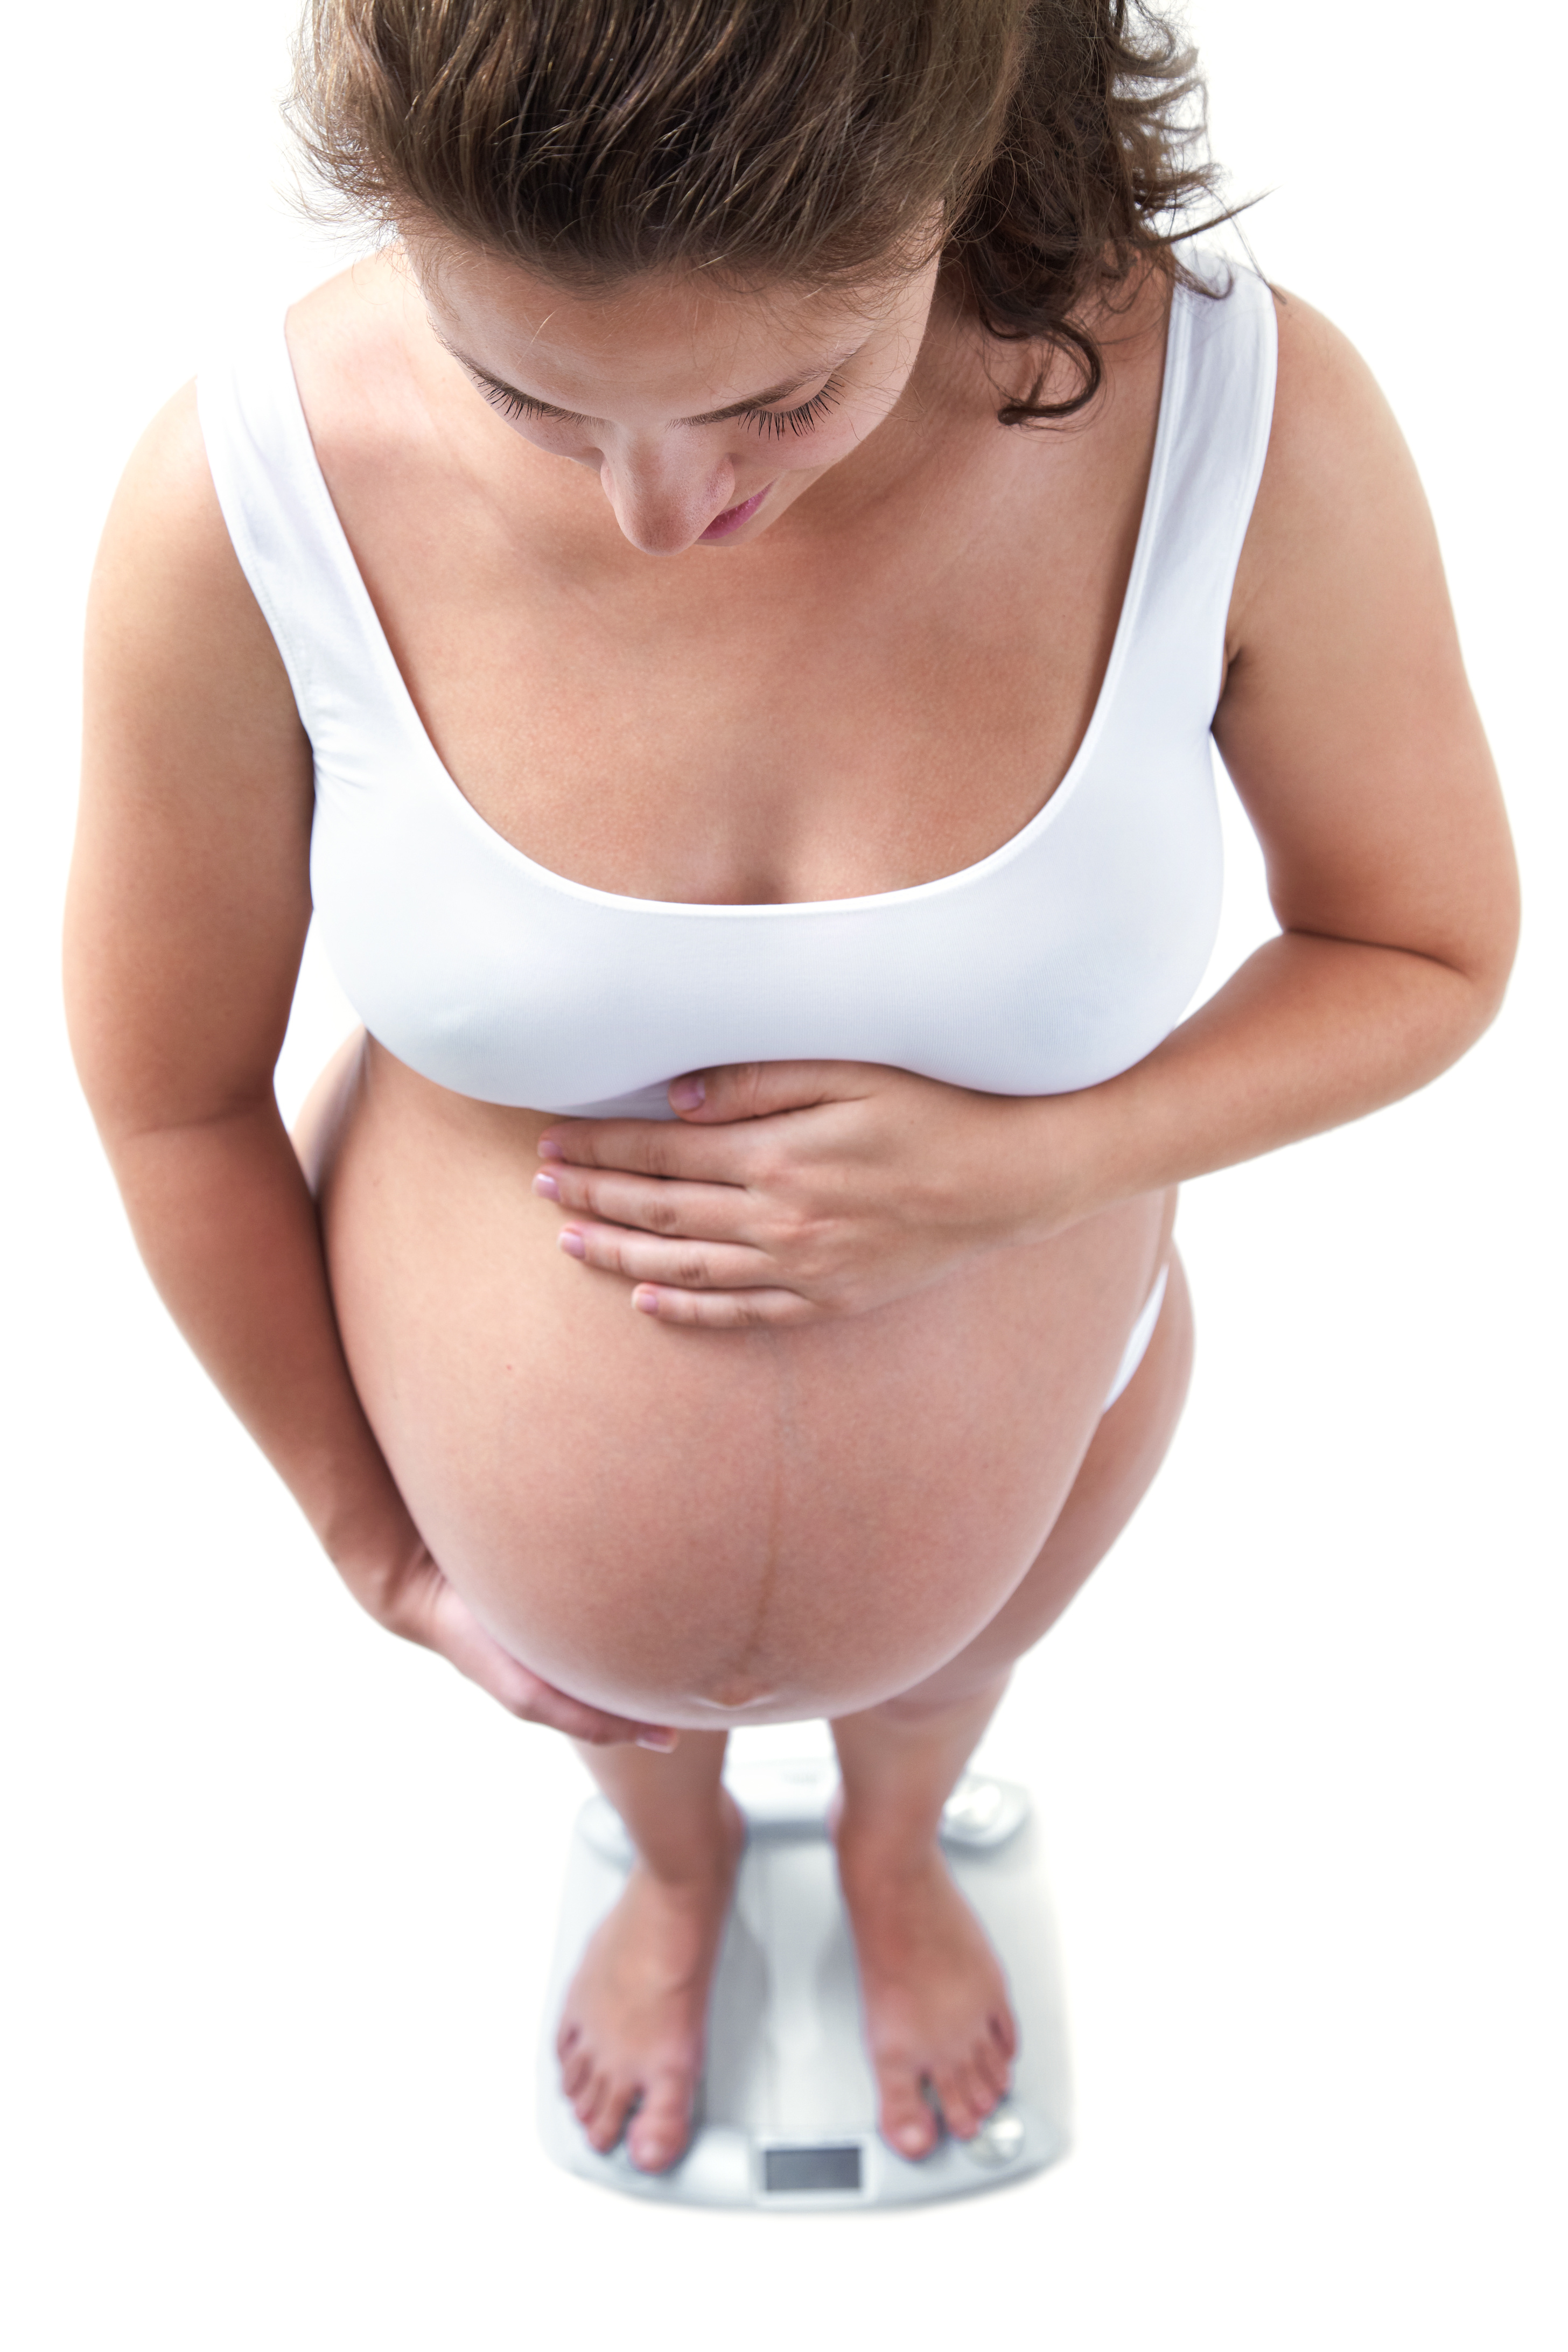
column 688, row 1525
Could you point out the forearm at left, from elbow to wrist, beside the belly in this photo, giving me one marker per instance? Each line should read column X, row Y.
column 229, row 1234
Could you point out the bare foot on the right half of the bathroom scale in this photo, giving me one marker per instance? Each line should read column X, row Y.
column 937, row 2005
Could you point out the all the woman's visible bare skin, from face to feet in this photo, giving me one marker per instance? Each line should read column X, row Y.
column 793, row 1405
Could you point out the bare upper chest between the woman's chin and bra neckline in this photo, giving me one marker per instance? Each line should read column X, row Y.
column 803, row 719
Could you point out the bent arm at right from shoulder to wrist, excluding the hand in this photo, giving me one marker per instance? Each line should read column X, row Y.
column 1355, row 747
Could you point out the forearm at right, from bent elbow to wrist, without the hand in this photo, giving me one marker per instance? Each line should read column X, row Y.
column 1306, row 1036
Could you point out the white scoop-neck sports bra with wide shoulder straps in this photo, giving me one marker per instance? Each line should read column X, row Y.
column 1054, row 963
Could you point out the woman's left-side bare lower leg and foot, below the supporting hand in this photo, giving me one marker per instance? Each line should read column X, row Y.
column 634, row 2024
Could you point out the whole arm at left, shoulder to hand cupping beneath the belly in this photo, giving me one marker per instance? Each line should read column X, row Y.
column 187, row 921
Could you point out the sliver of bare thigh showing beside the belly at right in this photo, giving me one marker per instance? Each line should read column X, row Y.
column 1118, row 1471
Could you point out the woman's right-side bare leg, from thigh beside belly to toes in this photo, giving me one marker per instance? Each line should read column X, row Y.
column 934, row 1996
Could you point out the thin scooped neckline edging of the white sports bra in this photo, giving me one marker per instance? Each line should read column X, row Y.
column 772, row 909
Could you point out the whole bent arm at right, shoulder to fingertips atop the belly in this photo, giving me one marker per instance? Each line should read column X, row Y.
column 817, row 1189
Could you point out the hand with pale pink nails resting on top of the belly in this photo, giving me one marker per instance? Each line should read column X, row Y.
column 796, row 1191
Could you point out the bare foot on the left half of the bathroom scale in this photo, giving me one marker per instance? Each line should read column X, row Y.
column 636, row 2017
